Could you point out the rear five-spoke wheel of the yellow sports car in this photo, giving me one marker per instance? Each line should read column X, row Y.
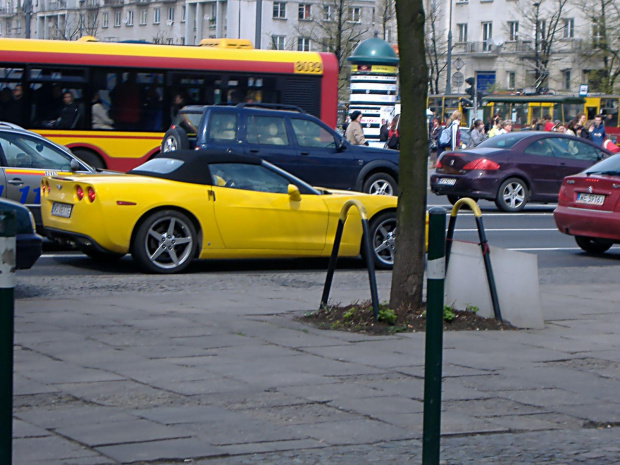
column 165, row 242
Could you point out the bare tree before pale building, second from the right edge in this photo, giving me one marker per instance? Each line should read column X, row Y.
column 542, row 21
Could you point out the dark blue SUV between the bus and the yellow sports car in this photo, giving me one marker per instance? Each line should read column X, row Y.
column 289, row 138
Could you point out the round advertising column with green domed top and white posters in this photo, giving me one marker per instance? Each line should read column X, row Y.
column 374, row 86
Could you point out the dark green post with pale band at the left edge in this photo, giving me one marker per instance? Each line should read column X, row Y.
column 7, row 283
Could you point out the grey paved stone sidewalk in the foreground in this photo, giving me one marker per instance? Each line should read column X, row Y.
column 215, row 369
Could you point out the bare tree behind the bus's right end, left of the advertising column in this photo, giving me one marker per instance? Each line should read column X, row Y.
column 335, row 27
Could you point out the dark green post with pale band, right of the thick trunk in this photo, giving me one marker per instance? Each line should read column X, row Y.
column 435, row 276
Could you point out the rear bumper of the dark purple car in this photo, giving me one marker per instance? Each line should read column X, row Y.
column 475, row 184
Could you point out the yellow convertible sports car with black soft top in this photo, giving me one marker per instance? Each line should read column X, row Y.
column 206, row 204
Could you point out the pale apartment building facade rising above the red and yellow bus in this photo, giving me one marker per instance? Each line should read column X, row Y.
column 283, row 24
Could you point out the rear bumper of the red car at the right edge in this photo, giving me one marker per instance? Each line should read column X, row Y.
column 588, row 223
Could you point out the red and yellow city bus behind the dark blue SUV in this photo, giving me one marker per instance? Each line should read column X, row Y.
column 141, row 86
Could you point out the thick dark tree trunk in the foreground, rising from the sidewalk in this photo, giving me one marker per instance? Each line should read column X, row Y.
column 408, row 274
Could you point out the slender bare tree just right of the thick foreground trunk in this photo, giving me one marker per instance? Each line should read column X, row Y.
column 436, row 45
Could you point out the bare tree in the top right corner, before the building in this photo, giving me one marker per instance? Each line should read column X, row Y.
column 602, row 31
